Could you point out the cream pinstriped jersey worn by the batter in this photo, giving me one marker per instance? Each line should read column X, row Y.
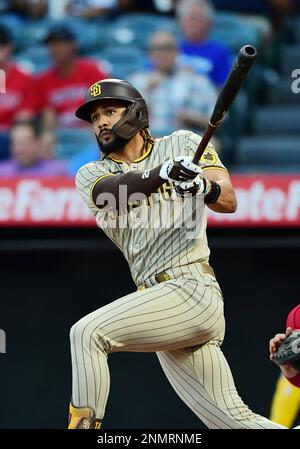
column 160, row 233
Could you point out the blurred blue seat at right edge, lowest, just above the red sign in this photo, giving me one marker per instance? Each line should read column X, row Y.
column 281, row 151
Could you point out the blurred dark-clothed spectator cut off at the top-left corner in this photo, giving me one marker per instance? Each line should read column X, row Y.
column 29, row 9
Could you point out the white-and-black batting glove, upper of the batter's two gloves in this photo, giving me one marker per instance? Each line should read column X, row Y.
column 179, row 169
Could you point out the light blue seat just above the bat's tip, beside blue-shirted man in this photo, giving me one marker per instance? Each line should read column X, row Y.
column 233, row 32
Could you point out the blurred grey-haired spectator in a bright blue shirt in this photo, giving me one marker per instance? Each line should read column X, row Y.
column 206, row 57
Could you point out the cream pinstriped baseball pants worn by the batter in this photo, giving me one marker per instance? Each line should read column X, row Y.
column 182, row 321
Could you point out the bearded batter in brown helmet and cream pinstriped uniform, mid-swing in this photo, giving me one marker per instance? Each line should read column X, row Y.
column 138, row 193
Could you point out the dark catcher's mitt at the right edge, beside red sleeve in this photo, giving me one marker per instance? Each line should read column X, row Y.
column 289, row 351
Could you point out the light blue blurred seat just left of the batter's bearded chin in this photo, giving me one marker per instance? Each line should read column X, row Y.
column 72, row 141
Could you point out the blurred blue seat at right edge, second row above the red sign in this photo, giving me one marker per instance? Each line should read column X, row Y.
column 277, row 120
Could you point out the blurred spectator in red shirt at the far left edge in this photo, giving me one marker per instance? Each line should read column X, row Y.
column 19, row 99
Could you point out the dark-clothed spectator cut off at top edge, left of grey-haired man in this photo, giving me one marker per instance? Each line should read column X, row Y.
column 143, row 6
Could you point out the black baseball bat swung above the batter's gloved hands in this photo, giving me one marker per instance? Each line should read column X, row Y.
column 240, row 69
